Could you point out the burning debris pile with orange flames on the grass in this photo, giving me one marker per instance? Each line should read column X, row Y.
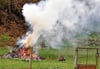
column 22, row 53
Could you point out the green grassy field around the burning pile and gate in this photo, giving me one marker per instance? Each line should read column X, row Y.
column 51, row 61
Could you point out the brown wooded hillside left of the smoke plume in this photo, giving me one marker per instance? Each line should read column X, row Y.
column 11, row 20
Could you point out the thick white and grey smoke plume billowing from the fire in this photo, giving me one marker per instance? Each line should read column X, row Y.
column 59, row 20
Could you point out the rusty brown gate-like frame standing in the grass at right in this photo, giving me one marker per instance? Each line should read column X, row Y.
column 86, row 66
